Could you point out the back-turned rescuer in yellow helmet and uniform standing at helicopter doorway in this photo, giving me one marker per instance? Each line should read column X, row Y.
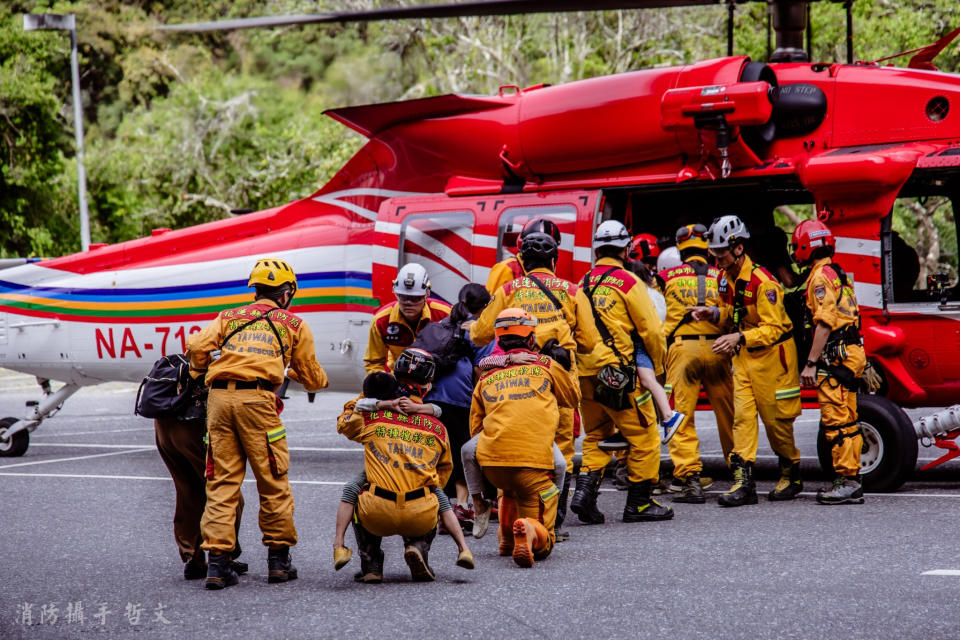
column 691, row 361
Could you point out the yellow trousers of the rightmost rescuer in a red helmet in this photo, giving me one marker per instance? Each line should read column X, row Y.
column 838, row 415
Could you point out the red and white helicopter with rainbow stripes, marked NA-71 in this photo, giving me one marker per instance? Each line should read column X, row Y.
column 448, row 181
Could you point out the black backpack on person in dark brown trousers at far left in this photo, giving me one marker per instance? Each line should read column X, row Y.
column 169, row 391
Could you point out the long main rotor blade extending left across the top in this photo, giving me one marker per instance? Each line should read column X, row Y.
column 451, row 10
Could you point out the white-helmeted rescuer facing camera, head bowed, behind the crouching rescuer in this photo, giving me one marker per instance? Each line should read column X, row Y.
column 396, row 324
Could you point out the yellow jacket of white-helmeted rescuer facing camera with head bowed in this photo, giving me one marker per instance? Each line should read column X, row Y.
column 390, row 333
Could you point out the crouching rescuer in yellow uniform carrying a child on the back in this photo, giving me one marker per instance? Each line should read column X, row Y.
column 406, row 459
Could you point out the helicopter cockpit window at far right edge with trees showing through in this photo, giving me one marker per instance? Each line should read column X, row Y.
column 920, row 241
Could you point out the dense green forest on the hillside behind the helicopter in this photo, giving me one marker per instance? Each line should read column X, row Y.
column 181, row 129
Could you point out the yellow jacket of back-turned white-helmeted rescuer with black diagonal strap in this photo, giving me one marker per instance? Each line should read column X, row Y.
column 627, row 311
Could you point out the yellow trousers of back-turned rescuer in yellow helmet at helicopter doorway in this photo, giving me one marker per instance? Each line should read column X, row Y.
column 691, row 362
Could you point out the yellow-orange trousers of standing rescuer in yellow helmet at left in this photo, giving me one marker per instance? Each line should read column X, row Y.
column 243, row 425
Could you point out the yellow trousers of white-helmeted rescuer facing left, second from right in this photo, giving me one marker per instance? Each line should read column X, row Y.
column 766, row 382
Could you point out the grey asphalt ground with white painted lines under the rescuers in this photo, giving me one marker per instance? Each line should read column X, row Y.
column 87, row 518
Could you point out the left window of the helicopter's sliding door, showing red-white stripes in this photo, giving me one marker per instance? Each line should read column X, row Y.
column 443, row 244
